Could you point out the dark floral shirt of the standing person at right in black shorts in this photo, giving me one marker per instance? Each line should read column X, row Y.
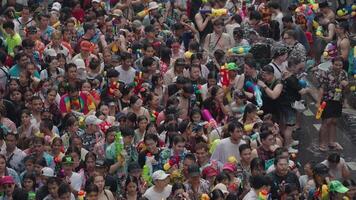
column 330, row 82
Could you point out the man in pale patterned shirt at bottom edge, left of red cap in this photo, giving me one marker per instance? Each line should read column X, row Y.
column 195, row 186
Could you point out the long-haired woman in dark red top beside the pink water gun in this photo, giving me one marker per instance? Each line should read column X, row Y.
column 217, row 104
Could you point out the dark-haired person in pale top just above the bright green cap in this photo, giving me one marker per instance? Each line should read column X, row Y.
column 337, row 167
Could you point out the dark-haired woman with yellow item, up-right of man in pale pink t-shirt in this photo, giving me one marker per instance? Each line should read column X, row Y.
column 250, row 118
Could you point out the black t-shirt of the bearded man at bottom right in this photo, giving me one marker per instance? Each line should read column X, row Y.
column 290, row 178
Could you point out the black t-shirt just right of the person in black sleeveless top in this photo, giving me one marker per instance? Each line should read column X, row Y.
column 291, row 90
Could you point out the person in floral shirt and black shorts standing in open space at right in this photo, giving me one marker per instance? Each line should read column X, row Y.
column 332, row 86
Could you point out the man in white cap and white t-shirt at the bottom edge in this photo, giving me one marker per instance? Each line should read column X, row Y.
column 161, row 189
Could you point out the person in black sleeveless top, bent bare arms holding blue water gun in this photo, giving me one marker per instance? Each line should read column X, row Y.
column 271, row 89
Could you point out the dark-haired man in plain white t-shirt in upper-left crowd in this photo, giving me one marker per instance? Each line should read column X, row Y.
column 127, row 72
